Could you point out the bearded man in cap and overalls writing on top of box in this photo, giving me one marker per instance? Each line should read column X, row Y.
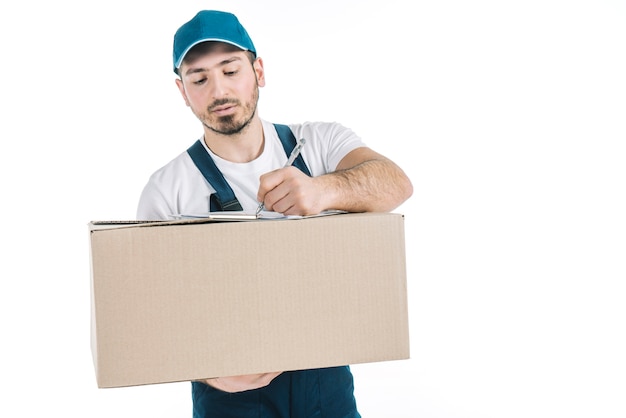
column 219, row 79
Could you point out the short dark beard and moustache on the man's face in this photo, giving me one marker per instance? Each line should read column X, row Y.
column 231, row 124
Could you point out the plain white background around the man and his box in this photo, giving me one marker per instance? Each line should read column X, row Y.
column 509, row 117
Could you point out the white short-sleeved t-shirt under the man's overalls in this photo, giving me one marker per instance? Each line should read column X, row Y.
column 180, row 188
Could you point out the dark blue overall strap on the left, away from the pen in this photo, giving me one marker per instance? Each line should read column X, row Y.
column 224, row 198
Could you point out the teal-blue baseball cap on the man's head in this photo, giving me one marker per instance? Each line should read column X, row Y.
column 210, row 25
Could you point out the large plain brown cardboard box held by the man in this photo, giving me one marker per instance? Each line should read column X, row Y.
column 188, row 300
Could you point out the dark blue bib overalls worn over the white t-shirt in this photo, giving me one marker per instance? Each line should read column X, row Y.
column 314, row 393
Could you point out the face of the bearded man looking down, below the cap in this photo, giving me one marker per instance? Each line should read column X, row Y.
column 222, row 88
